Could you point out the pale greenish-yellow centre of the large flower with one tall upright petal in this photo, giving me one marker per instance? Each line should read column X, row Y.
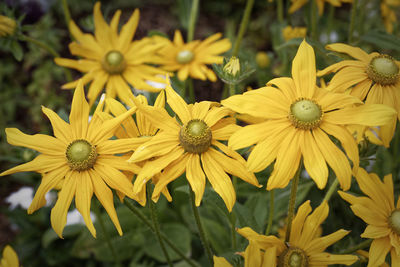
column 305, row 114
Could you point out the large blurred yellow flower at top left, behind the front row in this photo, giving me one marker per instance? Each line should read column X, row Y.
column 111, row 59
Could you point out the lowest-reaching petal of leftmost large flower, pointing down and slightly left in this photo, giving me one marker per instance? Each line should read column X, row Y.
column 59, row 212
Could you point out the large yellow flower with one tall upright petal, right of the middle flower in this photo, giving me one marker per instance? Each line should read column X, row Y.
column 298, row 118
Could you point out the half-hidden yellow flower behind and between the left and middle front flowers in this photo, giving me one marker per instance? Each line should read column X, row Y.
column 142, row 130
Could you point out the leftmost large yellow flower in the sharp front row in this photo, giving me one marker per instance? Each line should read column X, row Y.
column 81, row 158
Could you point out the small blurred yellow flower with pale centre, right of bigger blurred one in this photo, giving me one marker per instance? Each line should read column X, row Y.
column 190, row 59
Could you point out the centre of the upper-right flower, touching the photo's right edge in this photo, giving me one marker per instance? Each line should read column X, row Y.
column 383, row 70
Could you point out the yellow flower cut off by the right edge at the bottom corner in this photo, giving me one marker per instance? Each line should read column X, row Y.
column 381, row 215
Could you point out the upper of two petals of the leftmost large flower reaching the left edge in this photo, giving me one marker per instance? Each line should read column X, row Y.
column 43, row 143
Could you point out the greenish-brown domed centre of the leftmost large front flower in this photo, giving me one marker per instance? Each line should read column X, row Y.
column 81, row 155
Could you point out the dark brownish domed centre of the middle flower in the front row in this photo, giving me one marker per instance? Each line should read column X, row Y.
column 195, row 136
